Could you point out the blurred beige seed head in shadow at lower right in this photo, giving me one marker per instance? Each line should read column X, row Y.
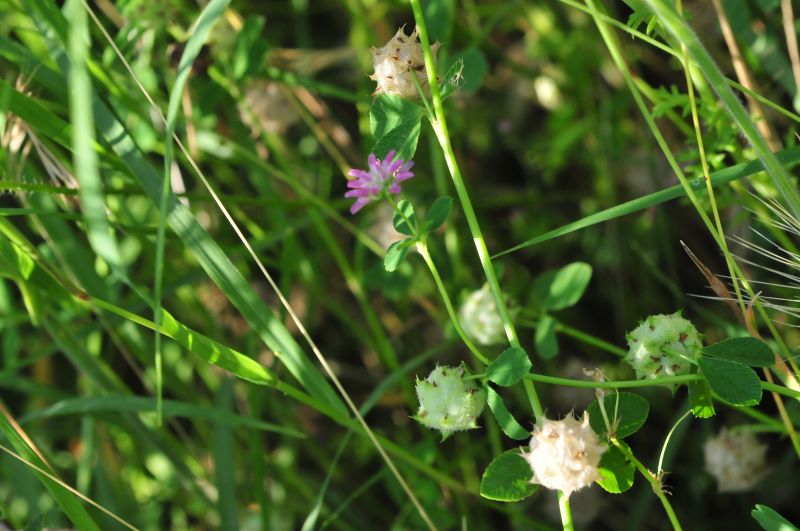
column 737, row 460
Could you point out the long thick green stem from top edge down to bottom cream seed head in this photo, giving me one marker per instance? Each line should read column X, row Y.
column 442, row 134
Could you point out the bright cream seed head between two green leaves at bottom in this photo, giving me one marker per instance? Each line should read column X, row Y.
column 565, row 454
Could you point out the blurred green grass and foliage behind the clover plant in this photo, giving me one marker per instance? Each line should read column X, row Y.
column 275, row 111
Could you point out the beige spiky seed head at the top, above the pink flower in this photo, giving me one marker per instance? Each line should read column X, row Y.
column 398, row 62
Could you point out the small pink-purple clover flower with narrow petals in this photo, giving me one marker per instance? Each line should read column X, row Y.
column 382, row 177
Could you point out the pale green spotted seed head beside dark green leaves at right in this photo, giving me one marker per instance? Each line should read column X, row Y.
column 663, row 345
